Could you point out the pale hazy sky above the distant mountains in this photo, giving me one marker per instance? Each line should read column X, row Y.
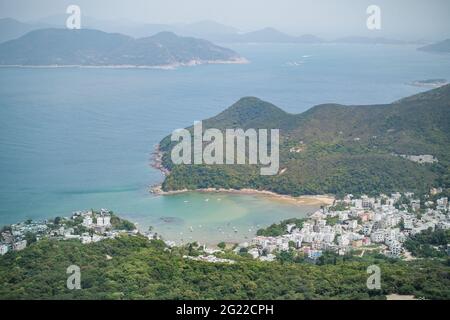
column 400, row 18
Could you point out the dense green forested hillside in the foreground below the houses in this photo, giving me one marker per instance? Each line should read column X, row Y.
column 135, row 268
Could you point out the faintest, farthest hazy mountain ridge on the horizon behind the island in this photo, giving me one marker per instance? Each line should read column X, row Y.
column 209, row 30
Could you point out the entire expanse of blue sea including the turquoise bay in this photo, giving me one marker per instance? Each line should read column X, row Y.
column 75, row 138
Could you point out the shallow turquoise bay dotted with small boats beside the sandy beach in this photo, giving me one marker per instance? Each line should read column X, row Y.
column 212, row 217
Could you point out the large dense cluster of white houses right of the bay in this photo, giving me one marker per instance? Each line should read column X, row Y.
column 380, row 223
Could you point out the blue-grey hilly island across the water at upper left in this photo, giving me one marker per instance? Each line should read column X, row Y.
column 87, row 47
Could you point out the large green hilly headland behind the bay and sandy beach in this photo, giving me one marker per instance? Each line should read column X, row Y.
column 334, row 149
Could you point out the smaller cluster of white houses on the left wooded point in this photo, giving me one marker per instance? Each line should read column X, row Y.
column 87, row 226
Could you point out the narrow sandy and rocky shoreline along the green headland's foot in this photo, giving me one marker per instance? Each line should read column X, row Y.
column 301, row 200
